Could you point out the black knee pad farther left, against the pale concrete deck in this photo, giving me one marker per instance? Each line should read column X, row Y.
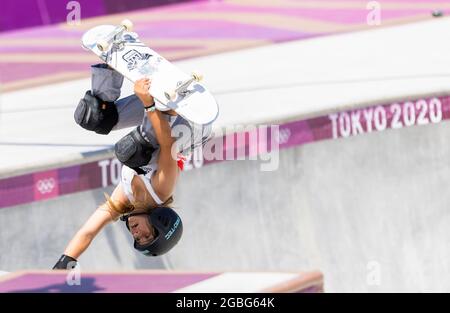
column 95, row 114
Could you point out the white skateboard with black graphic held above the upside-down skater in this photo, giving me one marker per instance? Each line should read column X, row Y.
column 122, row 50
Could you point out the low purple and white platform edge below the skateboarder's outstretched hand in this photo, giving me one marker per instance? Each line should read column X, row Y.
column 160, row 281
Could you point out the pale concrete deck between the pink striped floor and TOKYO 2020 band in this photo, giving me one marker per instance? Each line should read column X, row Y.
column 287, row 81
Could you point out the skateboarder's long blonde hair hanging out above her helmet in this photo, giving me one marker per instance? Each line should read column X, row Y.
column 141, row 196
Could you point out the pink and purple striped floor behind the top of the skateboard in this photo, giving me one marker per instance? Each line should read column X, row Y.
column 51, row 54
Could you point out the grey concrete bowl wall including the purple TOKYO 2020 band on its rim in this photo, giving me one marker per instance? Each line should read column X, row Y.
column 362, row 202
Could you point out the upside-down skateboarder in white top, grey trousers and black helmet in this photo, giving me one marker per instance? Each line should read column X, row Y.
column 143, row 197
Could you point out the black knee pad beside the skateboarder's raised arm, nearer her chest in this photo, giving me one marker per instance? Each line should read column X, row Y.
column 133, row 150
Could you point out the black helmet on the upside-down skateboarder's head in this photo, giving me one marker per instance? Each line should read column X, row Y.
column 168, row 227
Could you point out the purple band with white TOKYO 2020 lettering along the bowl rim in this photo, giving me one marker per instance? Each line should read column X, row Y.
column 53, row 183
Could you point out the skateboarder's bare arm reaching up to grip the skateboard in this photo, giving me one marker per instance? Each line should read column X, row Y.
column 165, row 178
